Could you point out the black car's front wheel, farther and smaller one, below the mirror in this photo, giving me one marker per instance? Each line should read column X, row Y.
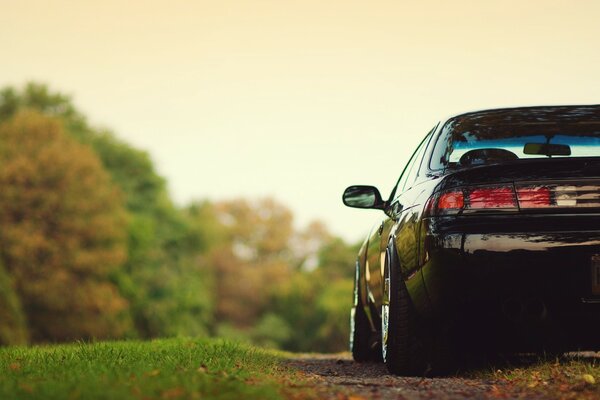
column 363, row 341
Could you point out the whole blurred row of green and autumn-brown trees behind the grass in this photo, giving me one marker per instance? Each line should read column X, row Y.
column 92, row 246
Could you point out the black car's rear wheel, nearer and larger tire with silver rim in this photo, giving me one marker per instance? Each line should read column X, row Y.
column 402, row 351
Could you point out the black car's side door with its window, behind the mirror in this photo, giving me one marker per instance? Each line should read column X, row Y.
column 378, row 239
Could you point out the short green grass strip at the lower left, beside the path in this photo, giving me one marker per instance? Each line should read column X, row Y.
column 159, row 369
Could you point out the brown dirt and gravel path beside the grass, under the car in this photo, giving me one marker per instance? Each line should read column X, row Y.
column 338, row 377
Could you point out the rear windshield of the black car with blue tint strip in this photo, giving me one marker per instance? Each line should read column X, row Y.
column 508, row 136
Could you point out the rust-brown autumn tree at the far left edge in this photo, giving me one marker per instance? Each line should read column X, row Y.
column 63, row 231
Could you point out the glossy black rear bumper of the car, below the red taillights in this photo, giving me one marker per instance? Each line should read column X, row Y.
column 516, row 290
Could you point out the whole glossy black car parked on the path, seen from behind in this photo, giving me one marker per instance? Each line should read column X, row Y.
column 490, row 242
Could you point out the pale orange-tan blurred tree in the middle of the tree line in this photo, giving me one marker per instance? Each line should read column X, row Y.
column 253, row 260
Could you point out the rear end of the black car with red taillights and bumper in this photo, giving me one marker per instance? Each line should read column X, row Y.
column 511, row 254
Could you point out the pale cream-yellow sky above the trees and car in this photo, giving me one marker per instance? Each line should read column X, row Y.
column 297, row 99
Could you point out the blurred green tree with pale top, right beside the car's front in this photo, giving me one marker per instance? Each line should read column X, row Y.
column 318, row 297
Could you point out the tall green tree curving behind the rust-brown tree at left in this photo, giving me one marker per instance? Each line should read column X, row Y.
column 161, row 272
